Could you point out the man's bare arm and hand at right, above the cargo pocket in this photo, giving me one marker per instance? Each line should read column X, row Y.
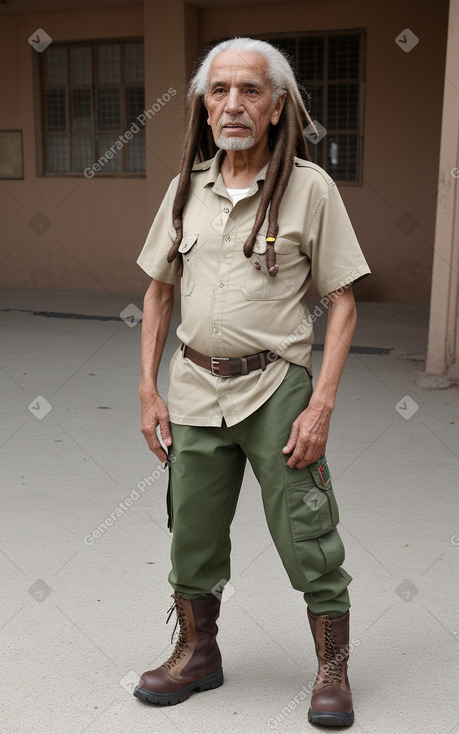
column 309, row 434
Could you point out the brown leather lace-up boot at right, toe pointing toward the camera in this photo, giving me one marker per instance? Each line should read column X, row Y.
column 331, row 701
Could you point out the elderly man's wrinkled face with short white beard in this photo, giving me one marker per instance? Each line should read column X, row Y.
column 239, row 100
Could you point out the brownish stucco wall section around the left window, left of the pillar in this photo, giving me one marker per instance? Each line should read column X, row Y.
column 98, row 225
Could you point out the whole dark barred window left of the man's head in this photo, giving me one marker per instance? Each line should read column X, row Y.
column 92, row 94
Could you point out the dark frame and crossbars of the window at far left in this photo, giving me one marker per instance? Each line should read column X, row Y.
column 123, row 86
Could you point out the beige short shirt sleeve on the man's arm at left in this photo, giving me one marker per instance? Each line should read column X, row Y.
column 153, row 258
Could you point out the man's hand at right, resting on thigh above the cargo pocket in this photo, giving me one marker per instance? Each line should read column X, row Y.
column 308, row 437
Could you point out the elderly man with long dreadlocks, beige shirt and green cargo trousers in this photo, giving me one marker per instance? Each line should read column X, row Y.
column 244, row 230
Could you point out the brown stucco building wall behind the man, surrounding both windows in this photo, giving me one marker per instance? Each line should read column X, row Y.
column 98, row 226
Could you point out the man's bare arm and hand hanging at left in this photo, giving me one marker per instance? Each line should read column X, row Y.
column 157, row 312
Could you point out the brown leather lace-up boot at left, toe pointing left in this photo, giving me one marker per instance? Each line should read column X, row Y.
column 195, row 664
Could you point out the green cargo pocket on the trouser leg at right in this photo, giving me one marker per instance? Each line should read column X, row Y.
column 313, row 513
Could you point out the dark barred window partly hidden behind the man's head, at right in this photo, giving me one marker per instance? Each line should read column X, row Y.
column 330, row 67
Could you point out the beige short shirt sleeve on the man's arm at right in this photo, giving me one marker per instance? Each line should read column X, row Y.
column 331, row 243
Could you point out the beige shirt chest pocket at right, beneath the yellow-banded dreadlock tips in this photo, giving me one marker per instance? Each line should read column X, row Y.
column 258, row 285
